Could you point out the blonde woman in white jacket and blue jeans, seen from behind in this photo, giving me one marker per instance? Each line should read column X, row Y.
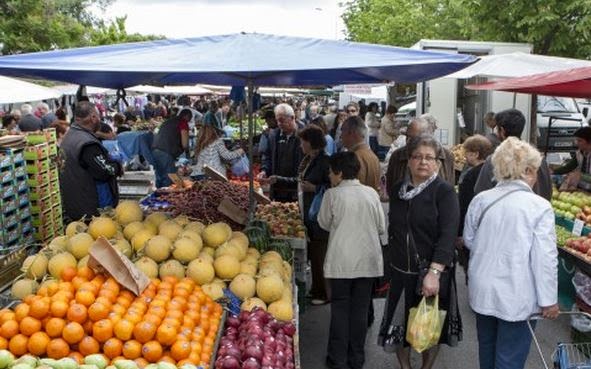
column 513, row 257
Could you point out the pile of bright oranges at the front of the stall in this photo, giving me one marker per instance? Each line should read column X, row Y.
column 86, row 313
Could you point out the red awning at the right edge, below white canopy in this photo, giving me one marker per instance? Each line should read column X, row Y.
column 568, row 83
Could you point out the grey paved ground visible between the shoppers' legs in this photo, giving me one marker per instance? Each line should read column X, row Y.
column 314, row 332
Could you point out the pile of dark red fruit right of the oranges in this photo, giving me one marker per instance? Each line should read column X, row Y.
column 254, row 340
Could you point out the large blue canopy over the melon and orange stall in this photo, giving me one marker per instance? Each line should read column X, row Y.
column 236, row 59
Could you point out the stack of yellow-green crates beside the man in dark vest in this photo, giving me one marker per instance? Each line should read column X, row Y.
column 41, row 166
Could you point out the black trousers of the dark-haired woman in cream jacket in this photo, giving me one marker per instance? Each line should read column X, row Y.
column 348, row 321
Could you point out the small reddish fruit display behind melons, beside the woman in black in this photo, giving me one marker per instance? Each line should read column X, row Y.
column 284, row 219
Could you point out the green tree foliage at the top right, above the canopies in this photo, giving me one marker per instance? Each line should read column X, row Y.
column 554, row 27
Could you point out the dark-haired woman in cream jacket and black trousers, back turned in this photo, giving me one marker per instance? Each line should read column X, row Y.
column 353, row 215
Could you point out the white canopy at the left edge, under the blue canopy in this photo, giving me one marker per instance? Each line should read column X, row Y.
column 16, row 91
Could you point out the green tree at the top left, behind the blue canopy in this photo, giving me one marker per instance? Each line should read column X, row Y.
column 38, row 25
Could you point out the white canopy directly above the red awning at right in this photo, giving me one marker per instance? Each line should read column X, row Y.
column 517, row 64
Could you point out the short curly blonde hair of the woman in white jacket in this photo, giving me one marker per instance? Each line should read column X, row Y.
column 513, row 157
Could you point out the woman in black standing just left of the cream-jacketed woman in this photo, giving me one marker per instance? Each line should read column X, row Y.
column 312, row 177
